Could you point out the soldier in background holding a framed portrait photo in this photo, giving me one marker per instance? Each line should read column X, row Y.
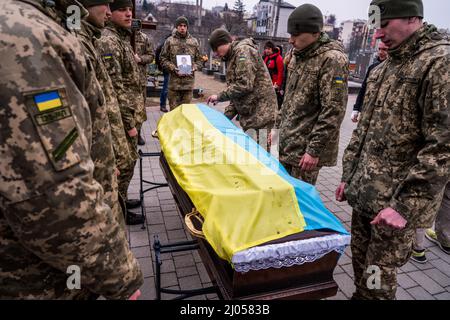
column 180, row 43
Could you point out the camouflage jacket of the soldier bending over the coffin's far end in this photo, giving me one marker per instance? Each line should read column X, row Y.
column 249, row 87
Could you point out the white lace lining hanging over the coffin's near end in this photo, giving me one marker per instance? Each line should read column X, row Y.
column 289, row 253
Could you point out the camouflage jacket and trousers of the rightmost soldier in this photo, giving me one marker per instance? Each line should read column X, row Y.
column 398, row 156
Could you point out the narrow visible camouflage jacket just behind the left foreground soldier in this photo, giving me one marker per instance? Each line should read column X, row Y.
column 124, row 154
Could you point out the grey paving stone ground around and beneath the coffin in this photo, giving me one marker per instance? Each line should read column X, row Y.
column 186, row 270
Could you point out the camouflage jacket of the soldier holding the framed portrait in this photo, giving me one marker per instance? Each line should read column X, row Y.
column 179, row 45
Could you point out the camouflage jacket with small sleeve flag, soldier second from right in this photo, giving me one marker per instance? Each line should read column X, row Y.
column 314, row 104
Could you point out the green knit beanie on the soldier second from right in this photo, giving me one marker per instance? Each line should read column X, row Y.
column 306, row 18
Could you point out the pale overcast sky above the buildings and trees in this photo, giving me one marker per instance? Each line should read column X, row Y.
column 436, row 11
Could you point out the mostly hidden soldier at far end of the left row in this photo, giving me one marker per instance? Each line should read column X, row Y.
column 144, row 56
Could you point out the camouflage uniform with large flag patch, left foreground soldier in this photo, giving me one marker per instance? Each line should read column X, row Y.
column 52, row 213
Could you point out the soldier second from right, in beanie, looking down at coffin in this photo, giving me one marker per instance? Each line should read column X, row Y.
column 315, row 98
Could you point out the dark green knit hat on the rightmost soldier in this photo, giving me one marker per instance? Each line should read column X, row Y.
column 395, row 9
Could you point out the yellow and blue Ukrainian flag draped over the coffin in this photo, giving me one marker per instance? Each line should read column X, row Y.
column 243, row 193
